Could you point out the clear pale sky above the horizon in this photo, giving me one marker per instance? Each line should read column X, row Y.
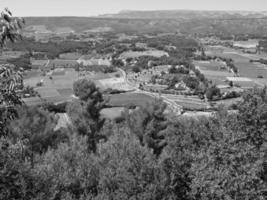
column 96, row 7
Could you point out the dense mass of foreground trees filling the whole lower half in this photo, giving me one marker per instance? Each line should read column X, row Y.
column 147, row 155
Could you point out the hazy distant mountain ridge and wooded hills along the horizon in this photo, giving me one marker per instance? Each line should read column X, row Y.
column 185, row 21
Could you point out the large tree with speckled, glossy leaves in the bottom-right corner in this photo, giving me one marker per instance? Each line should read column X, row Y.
column 229, row 168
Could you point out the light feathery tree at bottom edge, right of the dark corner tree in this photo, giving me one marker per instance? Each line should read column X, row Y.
column 67, row 171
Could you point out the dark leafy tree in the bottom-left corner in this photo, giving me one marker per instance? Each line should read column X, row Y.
column 16, row 181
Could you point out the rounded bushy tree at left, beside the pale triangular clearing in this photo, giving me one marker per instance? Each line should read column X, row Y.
column 34, row 128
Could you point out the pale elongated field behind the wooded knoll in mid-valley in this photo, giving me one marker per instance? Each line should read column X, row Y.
column 136, row 54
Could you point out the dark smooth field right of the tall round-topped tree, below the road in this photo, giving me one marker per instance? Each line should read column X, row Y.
column 122, row 100
